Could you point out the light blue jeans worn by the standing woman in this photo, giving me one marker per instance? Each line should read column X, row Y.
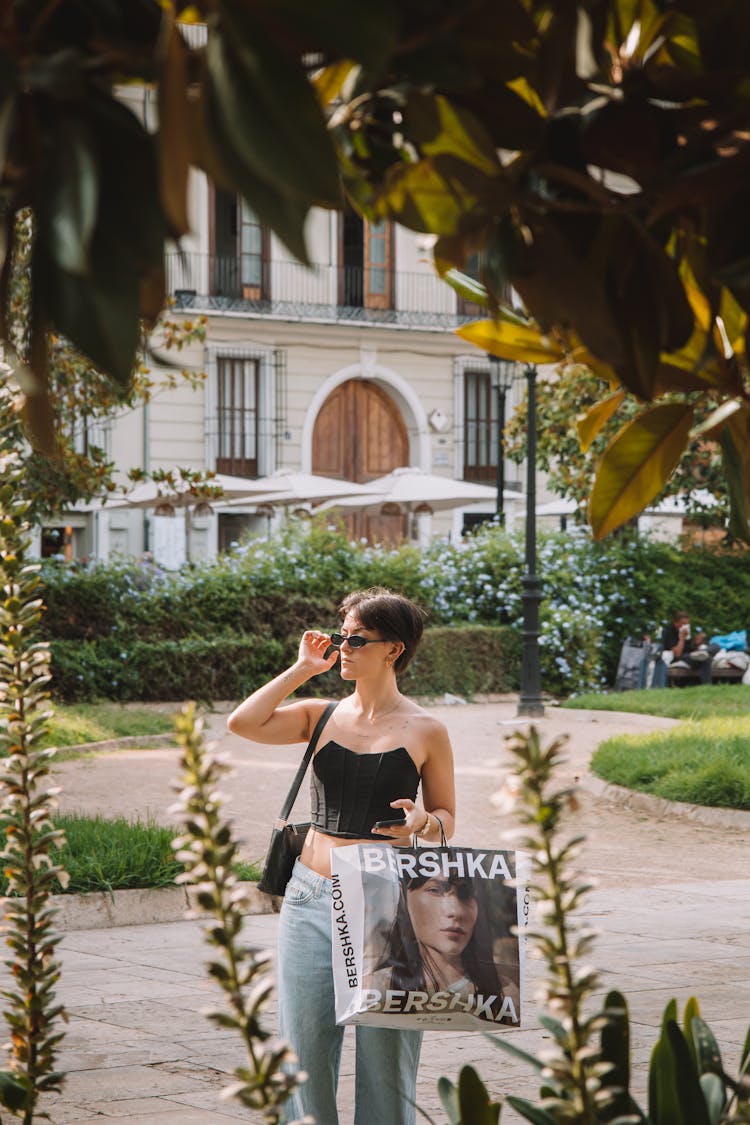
column 386, row 1059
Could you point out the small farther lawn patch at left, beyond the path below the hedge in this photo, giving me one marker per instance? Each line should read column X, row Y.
column 76, row 724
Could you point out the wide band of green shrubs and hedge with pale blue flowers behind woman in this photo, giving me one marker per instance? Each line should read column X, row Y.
column 123, row 632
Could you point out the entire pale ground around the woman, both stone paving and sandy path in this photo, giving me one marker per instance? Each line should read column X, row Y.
column 673, row 907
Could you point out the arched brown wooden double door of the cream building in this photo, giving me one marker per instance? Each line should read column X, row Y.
column 359, row 436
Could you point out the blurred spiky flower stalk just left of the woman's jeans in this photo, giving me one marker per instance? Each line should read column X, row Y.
column 210, row 854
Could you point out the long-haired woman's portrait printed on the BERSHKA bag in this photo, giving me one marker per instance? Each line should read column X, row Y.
column 441, row 941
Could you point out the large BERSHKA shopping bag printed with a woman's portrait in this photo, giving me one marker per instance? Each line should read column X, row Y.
column 429, row 938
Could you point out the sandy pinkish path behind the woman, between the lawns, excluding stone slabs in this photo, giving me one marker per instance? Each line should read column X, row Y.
column 624, row 847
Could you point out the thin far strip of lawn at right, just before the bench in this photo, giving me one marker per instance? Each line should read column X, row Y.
column 698, row 703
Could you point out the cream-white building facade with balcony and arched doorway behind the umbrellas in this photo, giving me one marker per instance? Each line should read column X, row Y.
column 349, row 367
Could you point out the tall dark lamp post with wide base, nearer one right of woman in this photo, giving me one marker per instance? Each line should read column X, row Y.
column 530, row 703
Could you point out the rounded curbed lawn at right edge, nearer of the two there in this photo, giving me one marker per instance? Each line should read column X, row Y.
column 706, row 762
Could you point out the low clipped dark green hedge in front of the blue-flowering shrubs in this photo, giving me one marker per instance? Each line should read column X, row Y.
column 463, row 661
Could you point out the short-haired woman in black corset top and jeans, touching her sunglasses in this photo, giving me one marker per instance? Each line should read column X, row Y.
column 375, row 753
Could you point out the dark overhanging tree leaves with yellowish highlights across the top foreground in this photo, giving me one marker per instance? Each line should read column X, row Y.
column 630, row 257
